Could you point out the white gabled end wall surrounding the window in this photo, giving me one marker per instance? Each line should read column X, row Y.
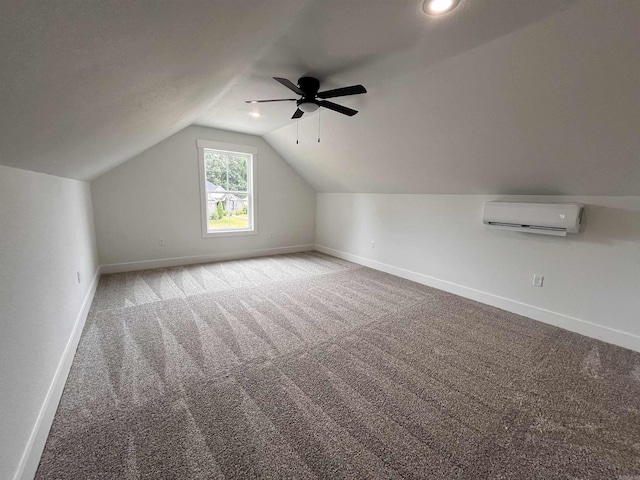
column 157, row 195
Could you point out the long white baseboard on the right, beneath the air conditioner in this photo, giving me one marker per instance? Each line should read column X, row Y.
column 593, row 330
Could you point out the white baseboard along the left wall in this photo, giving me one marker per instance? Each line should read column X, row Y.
column 35, row 445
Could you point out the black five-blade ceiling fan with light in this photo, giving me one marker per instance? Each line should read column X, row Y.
column 310, row 99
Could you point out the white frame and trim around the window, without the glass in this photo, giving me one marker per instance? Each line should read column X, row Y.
column 251, row 188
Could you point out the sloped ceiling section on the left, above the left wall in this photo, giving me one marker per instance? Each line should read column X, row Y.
column 86, row 85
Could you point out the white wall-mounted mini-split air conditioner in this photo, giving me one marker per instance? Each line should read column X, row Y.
column 545, row 218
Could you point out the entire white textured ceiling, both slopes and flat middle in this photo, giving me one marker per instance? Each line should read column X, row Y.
column 497, row 97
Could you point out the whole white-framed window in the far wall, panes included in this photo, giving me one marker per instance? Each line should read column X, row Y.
column 227, row 188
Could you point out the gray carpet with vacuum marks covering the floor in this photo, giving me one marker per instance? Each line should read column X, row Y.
column 306, row 366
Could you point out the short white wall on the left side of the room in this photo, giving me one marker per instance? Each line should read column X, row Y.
column 46, row 236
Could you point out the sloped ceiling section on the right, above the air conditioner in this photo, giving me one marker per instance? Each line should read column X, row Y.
column 553, row 108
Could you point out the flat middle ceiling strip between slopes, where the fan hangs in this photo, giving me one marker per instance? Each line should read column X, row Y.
column 372, row 42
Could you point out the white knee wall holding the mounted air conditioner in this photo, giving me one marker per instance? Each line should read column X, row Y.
column 592, row 277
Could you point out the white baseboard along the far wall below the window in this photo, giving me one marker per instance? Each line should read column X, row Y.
column 215, row 257
